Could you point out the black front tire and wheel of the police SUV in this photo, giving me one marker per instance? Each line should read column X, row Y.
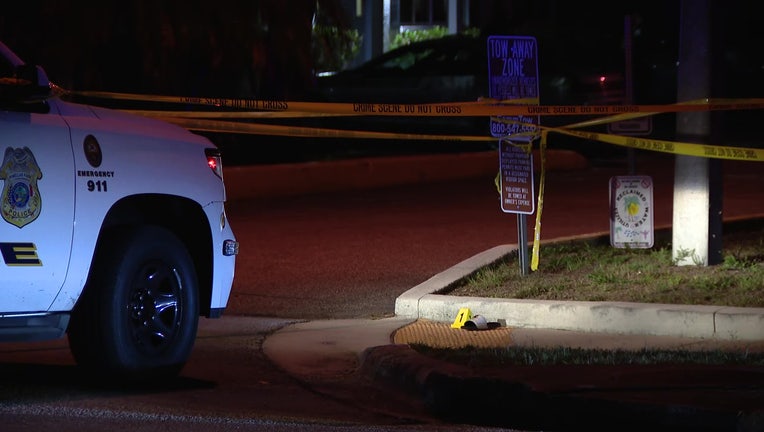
column 137, row 317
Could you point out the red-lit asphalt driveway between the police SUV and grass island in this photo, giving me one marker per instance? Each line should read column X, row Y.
column 350, row 254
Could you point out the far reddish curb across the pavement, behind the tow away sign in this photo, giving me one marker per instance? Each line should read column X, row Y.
column 260, row 181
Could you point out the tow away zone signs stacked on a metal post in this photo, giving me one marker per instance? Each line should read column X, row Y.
column 513, row 74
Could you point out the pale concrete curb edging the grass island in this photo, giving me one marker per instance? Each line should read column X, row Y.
column 706, row 322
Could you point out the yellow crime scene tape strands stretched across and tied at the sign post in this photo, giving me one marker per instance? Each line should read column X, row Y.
column 500, row 111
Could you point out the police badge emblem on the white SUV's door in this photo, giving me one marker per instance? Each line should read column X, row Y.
column 21, row 200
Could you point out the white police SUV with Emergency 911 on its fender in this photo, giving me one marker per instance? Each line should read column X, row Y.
column 113, row 230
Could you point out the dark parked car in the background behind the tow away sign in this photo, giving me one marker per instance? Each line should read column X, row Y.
column 453, row 69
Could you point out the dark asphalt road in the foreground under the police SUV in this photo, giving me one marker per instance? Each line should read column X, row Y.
column 228, row 384
